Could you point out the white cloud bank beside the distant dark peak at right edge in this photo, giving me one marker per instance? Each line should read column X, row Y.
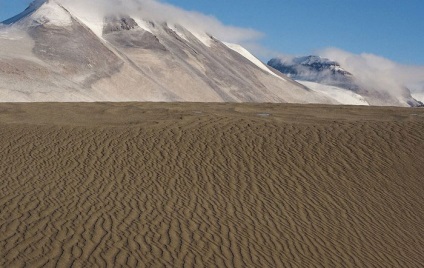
column 380, row 73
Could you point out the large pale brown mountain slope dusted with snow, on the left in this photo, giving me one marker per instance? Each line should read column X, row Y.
column 54, row 52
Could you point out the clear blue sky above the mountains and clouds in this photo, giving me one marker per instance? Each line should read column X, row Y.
column 389, row 28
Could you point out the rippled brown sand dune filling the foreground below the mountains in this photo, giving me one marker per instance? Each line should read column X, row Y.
column 193, row 185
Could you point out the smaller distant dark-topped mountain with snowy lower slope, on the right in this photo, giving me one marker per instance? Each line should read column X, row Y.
column 329, row 78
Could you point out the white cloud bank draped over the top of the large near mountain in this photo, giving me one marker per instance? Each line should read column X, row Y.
column 95, row 10
